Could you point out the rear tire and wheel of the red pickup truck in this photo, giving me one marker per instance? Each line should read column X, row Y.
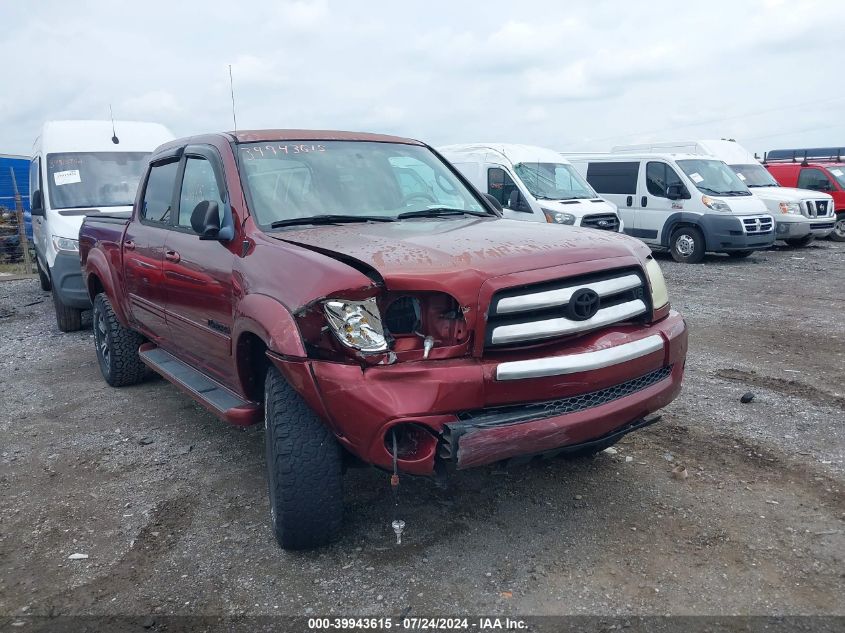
column 117, row 346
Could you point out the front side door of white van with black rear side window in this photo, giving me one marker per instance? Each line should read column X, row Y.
column 656, row 207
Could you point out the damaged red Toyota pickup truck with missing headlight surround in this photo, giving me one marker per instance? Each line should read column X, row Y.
column 359, row 297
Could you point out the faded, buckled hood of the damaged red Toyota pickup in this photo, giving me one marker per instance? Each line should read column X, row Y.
column 438, row 254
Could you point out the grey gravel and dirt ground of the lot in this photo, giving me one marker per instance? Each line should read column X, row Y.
column 170, row 505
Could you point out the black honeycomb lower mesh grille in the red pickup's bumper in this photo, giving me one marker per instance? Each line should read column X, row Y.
column 551, row 408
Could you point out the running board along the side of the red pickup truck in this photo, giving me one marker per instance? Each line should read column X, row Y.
column 213, row 396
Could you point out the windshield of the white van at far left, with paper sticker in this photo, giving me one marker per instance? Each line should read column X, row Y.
column 94, row 179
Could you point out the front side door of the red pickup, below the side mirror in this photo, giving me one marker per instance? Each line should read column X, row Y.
column 198, row 273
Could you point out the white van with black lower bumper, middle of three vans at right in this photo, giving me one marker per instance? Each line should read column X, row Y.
column 683, row 203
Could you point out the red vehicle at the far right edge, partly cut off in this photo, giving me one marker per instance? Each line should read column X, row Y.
column 820, row 169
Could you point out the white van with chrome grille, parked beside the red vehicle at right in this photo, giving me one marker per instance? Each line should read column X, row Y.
column 800, row 214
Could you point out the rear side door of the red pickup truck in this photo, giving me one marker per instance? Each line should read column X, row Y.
column 143, row 249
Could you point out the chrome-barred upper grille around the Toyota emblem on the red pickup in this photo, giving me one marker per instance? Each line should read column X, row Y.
column 540, row 312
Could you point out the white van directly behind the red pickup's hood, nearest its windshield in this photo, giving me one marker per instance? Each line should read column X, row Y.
column 533, row 183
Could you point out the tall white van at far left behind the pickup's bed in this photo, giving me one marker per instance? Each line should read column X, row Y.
column 77, row 168
